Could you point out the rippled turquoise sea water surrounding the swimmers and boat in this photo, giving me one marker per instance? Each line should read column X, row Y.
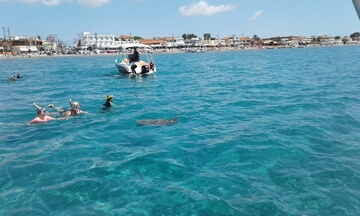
column 267, row 132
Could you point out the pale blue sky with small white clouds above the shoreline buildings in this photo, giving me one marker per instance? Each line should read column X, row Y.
column 160, row 18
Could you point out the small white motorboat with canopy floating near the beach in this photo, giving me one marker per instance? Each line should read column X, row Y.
column 128, row 63
